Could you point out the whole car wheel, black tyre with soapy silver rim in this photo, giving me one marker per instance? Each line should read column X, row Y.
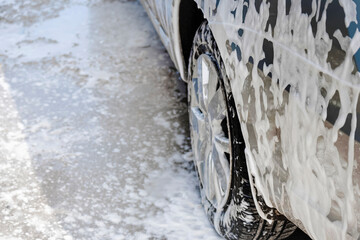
column 226, row 193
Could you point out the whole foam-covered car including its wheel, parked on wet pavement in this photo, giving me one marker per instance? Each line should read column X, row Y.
column 273, row 97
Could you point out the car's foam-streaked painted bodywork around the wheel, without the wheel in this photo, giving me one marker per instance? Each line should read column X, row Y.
column 294, row 70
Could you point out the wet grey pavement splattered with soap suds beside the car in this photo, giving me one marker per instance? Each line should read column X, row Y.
column 93, row 126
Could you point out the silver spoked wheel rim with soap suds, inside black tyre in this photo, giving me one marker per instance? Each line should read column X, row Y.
column 210, row 131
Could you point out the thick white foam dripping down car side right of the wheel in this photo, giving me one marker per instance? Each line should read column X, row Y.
column 297, row 157
